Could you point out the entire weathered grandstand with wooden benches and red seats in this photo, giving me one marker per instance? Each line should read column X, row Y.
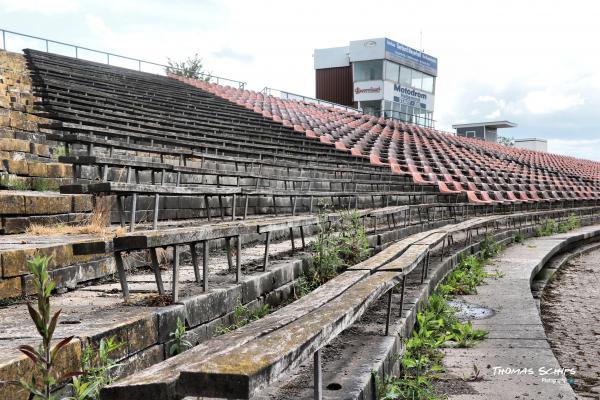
column 210, row 197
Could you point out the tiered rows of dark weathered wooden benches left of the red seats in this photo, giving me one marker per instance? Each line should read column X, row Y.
column 152, row 138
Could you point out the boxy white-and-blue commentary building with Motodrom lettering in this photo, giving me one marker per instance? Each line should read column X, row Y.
column 380, row 76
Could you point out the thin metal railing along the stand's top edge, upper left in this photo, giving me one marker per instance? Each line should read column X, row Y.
column 106, row 57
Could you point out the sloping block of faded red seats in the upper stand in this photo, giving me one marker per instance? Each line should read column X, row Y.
column 489, row 173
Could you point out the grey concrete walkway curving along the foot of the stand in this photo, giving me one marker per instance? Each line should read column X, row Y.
column 516, row 336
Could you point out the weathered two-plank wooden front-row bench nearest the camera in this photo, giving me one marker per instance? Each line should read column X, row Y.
column 235, row 365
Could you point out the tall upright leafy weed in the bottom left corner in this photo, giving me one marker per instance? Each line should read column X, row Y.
column 43, row 378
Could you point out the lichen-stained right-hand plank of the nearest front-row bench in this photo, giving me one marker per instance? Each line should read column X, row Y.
column 239, row 373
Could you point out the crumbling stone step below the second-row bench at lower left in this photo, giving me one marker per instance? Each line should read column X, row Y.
column 96, row 312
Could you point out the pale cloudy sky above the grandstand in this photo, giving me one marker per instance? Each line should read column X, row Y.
column 536, row 63
